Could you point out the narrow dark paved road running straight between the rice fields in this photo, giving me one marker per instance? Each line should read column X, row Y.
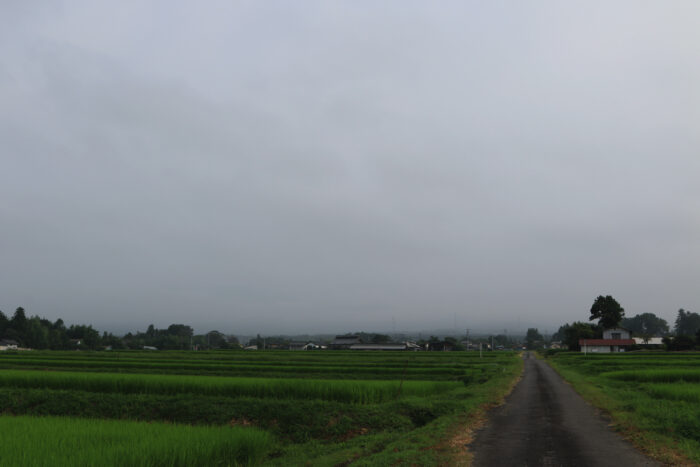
column 545, row 423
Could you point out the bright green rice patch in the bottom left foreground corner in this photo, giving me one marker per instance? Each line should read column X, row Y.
column 59, row 441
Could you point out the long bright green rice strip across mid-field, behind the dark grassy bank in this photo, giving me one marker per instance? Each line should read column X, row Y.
column 349, row 391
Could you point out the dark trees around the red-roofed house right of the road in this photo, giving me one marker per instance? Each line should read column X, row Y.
column 609, row 313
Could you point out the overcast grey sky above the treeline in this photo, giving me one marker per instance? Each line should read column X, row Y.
column 287, row 166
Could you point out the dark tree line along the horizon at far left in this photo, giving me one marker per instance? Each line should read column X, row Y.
column 40, row 333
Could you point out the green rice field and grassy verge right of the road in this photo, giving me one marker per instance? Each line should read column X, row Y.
column 654, row 397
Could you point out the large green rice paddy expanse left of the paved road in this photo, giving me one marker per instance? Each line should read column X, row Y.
column 244, row 408
